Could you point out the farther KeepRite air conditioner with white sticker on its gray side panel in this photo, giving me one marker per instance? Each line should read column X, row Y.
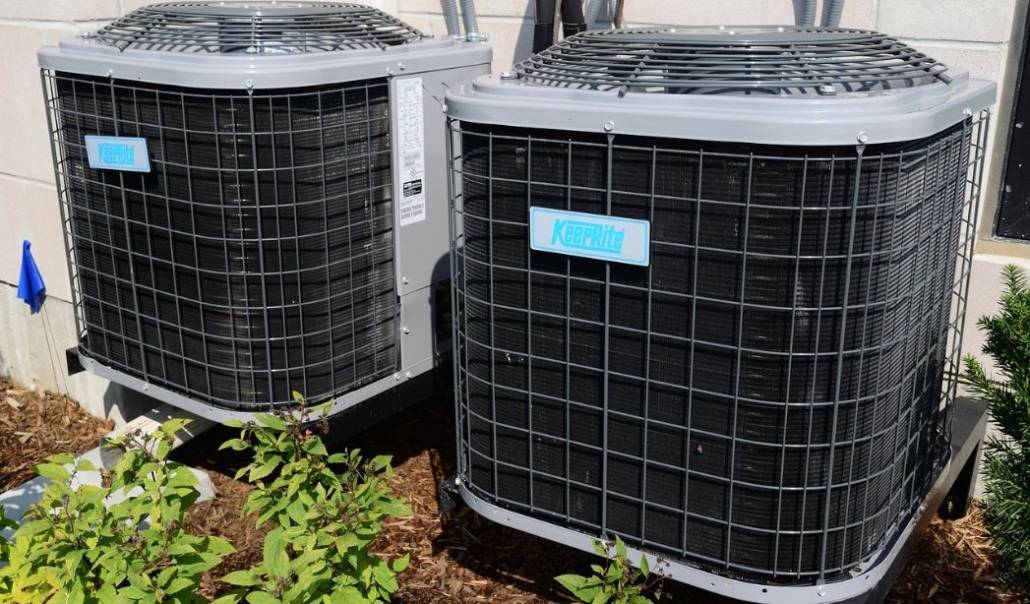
column 255, row 199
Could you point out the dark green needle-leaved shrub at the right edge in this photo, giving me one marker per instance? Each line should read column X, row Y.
column 1007, row 458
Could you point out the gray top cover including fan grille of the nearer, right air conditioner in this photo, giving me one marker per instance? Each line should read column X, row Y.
column 798, row 86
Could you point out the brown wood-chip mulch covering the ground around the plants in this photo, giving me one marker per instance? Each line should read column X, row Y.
column 461, row 559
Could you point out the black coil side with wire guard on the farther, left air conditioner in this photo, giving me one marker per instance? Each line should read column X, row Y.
column 256, row 258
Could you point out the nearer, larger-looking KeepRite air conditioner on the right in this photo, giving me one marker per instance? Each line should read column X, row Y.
column 707, row 295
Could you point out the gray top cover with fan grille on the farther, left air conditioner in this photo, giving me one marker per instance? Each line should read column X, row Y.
column 259, row 45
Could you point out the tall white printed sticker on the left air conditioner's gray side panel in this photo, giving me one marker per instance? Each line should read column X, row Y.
column 411, row 132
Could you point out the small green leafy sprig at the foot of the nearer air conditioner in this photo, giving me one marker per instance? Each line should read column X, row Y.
column 617, row 582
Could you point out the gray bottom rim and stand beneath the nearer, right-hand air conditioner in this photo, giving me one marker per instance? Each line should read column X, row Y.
column 871, row 584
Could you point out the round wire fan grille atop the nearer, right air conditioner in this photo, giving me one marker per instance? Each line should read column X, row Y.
column 727, row 61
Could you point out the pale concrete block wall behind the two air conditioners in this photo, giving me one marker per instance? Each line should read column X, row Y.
column 974, row 37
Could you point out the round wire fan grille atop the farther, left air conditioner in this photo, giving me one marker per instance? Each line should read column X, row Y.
column 256, row 28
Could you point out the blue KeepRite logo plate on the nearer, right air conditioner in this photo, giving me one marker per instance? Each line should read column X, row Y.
column 600, row 238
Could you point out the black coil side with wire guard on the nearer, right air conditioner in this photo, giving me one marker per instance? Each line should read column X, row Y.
column 768, row 400
